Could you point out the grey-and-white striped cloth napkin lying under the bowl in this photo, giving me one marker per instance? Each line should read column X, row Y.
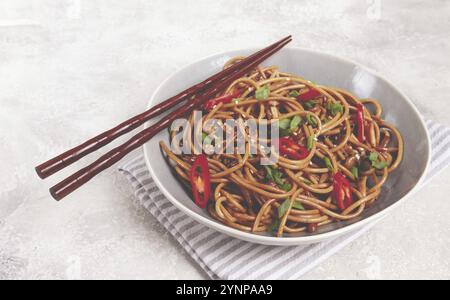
column 225, row 257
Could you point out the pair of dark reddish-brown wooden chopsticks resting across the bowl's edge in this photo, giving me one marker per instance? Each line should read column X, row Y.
column 194, row 97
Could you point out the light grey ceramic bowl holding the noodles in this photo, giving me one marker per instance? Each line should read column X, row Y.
column 323, row 69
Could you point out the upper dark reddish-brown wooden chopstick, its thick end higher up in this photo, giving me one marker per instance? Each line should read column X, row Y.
column 67, row 158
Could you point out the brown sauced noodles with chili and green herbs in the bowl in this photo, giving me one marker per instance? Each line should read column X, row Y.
column 298, row 194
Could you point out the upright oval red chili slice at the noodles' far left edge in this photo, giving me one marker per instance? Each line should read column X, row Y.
column 200, row 180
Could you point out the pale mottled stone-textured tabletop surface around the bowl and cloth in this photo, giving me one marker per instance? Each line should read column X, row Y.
column 71, row 68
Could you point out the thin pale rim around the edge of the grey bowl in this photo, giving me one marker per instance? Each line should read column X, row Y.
column 287, row 241
